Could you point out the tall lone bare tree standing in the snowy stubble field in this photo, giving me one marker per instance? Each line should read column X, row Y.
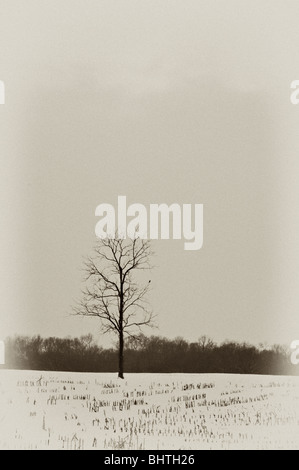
column 112, row 292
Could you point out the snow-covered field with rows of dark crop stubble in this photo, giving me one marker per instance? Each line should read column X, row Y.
column 174, row 412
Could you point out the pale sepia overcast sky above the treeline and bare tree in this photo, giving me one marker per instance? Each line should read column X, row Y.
column 161, row 101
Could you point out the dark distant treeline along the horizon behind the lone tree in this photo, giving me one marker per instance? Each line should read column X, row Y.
column 146, row 354
